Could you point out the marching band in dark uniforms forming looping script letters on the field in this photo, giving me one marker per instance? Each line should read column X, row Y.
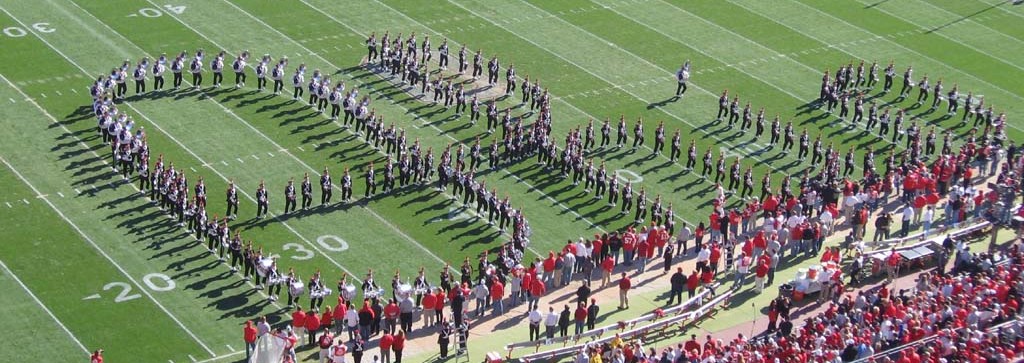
column 408, row 60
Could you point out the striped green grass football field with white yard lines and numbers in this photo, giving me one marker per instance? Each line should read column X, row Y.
column 88, row 263
